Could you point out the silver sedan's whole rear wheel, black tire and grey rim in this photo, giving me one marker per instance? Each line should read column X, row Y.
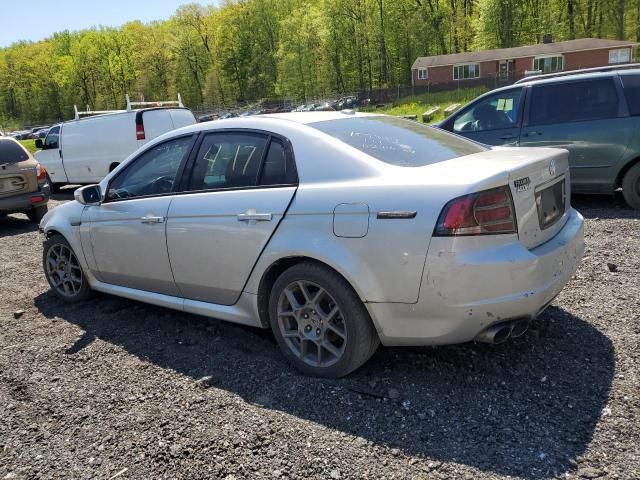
column 320, row 324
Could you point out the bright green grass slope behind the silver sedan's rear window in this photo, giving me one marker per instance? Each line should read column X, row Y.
column 418, row 104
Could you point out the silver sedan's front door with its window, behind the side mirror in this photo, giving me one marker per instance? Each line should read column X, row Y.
column 127, row 230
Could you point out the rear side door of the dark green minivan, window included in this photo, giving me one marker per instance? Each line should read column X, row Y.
column 587, row 118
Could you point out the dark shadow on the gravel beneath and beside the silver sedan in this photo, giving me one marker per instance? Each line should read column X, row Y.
column 525, row 408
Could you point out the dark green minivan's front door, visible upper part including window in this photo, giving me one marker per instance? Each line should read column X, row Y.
column 494, row 119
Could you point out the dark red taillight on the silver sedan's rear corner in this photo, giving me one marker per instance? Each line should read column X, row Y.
column 481, row 213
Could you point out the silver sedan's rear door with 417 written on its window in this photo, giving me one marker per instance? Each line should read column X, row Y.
column 237, row 192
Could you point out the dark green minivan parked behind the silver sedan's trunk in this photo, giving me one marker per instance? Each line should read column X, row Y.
column 595, row 116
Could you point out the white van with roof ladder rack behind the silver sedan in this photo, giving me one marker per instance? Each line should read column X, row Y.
column 86, row 149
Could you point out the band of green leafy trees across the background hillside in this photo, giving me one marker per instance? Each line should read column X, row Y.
column 251, row 49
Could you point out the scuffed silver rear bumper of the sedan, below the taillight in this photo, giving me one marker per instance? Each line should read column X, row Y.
column 471, row 283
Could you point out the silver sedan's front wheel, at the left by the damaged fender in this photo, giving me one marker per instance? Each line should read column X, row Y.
column 63, row 270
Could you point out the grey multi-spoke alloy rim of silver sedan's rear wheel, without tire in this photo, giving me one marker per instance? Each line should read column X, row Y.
column 311, row 324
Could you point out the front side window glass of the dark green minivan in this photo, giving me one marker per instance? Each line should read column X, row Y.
column 498, row 111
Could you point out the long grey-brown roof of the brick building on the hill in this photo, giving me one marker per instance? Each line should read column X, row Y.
column 520, row 52
